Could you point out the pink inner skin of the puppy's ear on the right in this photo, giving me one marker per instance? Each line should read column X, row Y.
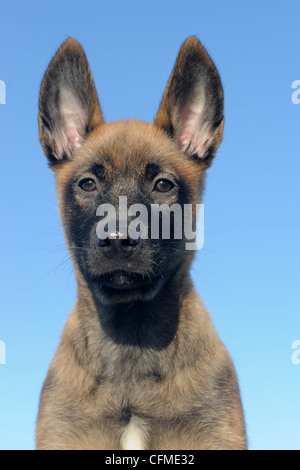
column 193, row 132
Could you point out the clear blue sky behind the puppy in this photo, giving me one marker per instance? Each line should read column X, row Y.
column 248, row 272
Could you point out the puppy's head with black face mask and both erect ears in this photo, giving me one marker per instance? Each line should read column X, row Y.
column 148, row 167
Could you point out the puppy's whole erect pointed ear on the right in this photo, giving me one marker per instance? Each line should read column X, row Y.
column 191, row 111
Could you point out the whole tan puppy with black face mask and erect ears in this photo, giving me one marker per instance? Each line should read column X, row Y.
column 140, row 365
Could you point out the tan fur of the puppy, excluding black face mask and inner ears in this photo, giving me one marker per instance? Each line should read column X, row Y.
column 101, row 394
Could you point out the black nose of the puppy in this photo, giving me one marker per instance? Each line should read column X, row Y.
column 116, row 247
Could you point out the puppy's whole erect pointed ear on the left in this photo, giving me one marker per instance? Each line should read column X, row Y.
column 68, row 106
